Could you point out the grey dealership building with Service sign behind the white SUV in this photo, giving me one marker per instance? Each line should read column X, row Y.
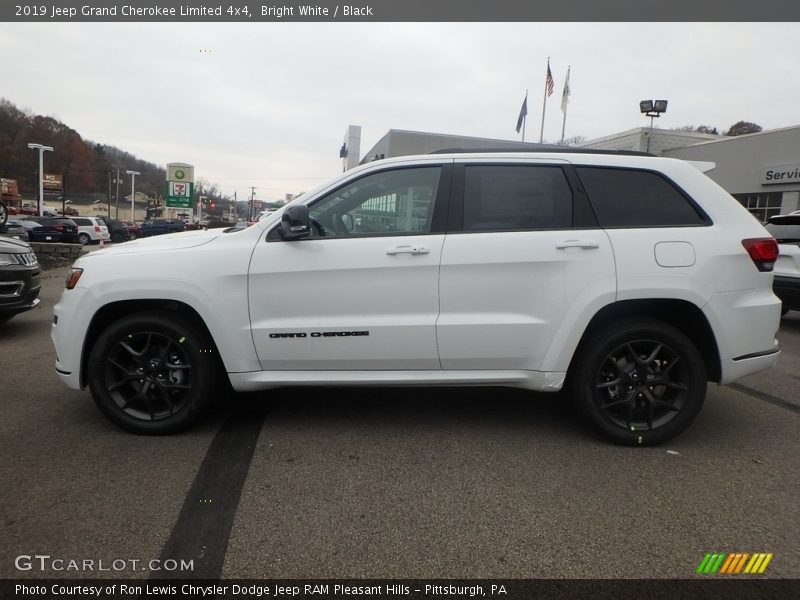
column 761, row 170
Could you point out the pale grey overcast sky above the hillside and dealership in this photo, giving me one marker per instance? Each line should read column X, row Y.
column 267, row 104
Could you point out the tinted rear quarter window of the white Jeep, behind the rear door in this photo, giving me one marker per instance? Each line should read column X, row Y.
column 636, row 198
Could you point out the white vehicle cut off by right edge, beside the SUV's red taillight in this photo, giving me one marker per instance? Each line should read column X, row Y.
column 786, row 230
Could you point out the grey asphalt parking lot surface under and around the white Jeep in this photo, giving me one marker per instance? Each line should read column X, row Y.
column 388, row 483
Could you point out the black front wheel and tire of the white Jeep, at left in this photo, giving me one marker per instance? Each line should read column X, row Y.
column 153, row 373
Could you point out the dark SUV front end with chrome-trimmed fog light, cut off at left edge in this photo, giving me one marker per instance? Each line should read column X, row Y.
column 19, row 278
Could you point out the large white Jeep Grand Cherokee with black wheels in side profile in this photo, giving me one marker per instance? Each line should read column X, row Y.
column 631, row 279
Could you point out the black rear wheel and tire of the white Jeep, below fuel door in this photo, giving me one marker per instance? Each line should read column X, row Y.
column 639, row 382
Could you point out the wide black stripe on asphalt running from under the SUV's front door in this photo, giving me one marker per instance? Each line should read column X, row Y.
column 203, row 528
